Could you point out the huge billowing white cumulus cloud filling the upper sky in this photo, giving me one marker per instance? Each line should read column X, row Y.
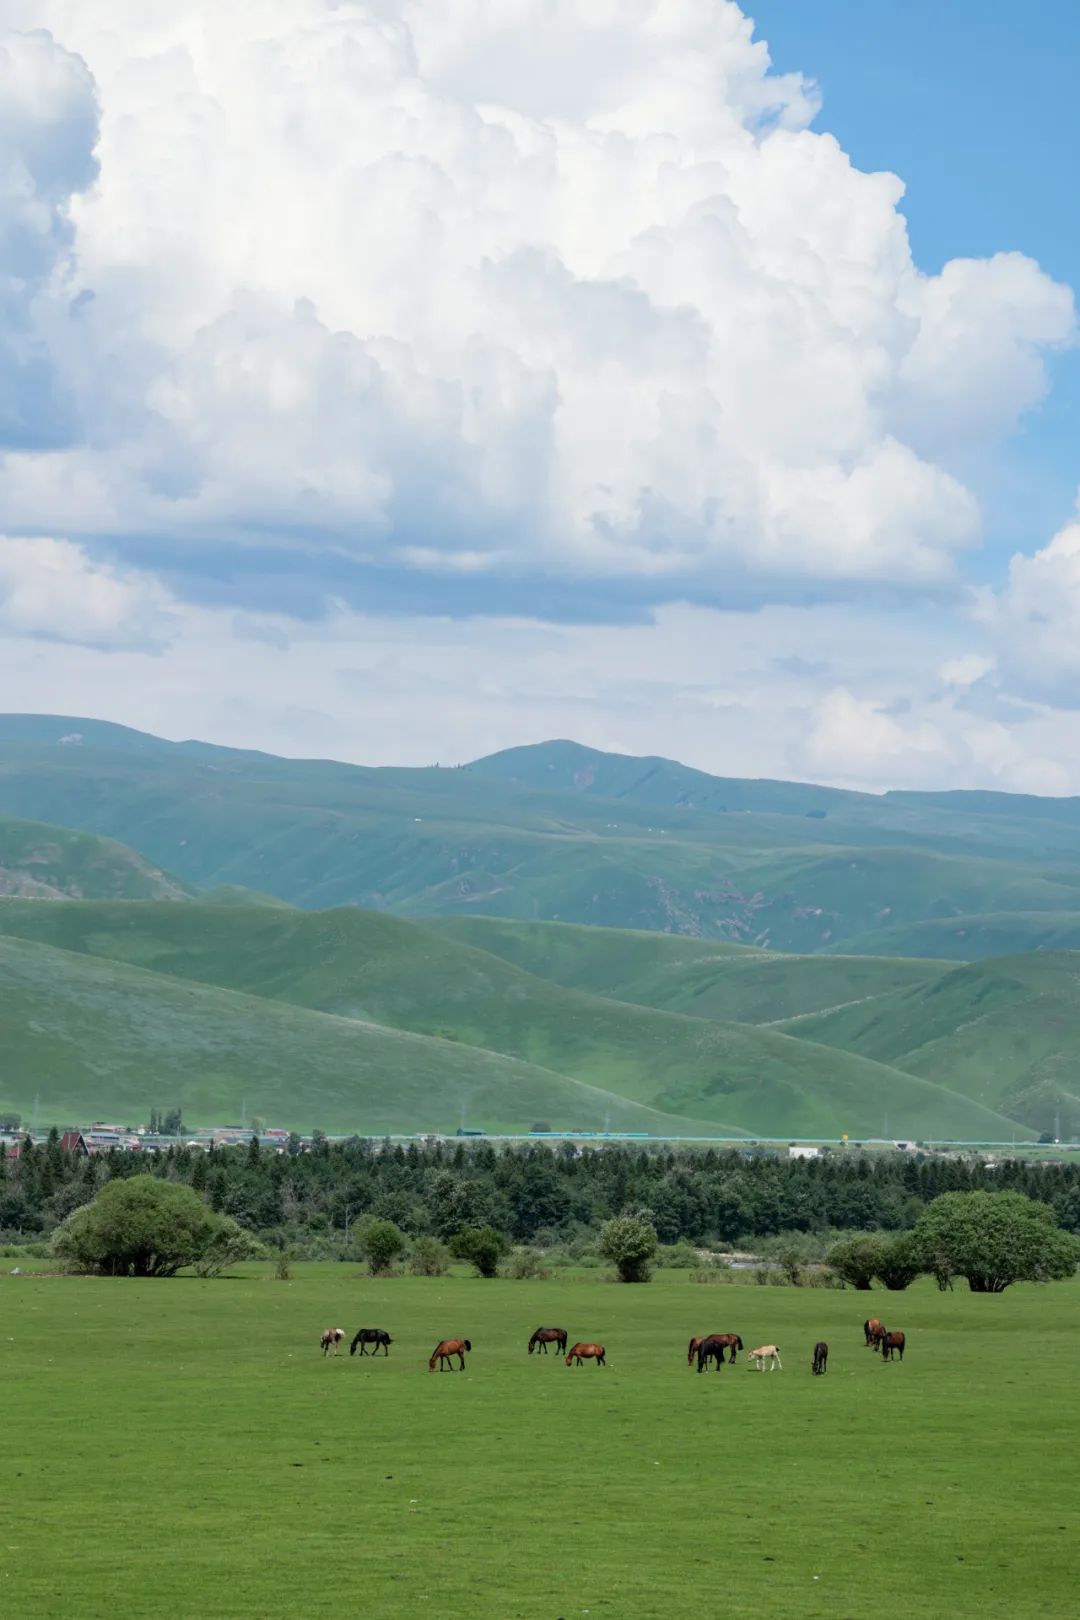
column 491, row 288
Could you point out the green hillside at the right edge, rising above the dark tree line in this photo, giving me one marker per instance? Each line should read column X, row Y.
column 1005, row 1033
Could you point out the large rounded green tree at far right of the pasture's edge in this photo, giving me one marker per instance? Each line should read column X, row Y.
column 993, row 1240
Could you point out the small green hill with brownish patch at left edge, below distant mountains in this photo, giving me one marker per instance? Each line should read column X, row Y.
column 53, row 863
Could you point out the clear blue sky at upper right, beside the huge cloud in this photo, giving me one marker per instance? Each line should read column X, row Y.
column 974, row 104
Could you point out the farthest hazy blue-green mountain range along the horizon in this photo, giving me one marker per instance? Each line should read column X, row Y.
column 555, row 833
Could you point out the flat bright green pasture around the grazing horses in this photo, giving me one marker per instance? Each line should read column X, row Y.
column 181, row 1449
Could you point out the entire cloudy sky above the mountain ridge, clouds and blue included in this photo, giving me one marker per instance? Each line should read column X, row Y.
column 407, row 382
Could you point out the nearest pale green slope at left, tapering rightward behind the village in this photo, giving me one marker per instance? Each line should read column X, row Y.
column 87, row 1038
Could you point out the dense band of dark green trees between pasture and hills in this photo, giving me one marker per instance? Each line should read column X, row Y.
column 534, row 1195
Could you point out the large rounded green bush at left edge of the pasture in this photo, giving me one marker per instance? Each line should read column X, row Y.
column 142, row 1227
